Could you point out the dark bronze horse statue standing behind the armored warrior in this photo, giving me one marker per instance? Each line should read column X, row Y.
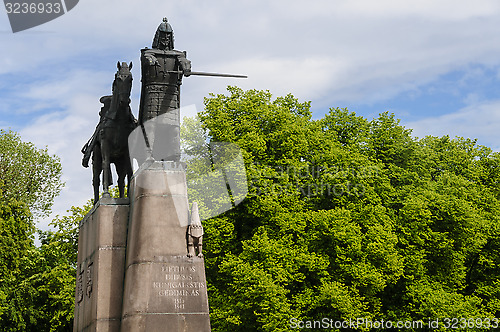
column 109, row 144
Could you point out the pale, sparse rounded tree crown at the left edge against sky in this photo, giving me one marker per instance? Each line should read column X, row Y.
column 28, row 174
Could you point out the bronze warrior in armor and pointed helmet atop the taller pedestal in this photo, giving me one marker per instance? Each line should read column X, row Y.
column 159, row 116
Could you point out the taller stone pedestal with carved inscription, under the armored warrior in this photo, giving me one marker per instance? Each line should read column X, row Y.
column 165, row 290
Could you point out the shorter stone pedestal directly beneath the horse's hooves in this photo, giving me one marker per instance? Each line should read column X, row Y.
column 101, row 264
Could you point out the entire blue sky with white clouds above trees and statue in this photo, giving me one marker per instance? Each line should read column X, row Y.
column 435, row 64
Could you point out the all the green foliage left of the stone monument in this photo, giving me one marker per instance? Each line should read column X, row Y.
column 37, row 284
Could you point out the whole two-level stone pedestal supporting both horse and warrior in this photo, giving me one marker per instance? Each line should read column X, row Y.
column 134, row 273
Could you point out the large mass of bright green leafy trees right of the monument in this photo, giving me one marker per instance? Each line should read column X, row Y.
column 348, row 218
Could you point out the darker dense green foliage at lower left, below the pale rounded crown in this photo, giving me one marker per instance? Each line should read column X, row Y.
column 37, row 284
